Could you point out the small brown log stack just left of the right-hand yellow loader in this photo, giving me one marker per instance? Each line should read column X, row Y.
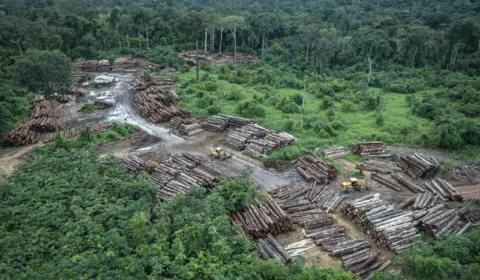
column 316, row 169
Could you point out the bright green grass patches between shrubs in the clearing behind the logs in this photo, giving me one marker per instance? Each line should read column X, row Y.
column 361, row 125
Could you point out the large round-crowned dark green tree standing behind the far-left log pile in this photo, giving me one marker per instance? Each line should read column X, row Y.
column 45, row 72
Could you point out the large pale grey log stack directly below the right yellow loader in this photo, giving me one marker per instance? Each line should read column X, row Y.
column 391, row 228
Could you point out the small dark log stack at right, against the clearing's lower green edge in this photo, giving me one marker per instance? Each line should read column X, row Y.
column 418, row 166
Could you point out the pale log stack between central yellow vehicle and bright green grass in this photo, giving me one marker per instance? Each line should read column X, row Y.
column 257, row 141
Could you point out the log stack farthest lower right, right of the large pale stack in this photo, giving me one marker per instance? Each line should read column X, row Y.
column 438, row 220
